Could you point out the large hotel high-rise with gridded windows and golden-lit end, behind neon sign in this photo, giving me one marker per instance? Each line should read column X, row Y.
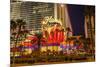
column 34, row 12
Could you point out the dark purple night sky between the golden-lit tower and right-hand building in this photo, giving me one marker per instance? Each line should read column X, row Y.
column 76, row 13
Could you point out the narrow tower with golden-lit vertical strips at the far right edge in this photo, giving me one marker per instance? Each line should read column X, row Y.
column 90, row 23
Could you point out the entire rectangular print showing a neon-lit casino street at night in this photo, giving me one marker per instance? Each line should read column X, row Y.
column 51, row 33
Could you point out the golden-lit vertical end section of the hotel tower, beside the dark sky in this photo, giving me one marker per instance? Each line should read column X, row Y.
column 62, row 15
